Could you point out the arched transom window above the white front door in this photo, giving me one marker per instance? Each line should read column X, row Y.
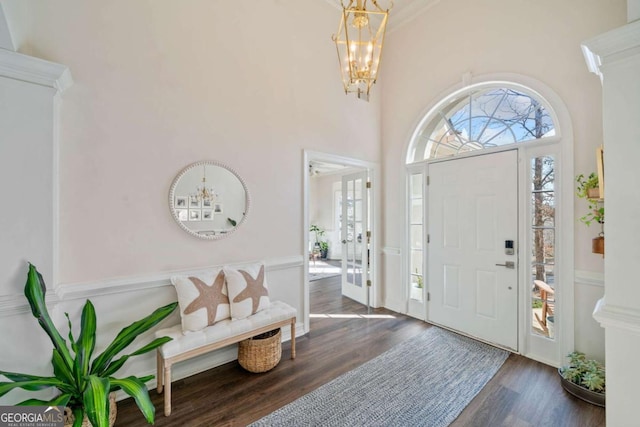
column 478, row 119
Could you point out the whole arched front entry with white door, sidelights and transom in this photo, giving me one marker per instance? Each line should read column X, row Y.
column 524, row 282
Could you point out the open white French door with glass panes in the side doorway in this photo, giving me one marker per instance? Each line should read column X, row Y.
column 354, row 227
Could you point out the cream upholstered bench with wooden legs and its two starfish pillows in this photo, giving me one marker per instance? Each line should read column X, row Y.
column 206, row 333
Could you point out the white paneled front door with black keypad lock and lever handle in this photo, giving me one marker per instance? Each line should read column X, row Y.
column 473, row 212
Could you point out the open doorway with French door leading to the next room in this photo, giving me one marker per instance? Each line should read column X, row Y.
column 339, row 263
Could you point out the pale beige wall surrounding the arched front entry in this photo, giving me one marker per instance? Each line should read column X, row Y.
column 429, row 55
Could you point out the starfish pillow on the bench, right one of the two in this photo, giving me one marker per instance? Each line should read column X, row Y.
column 248, row 291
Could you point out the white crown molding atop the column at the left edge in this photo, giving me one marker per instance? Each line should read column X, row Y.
column 26, row 68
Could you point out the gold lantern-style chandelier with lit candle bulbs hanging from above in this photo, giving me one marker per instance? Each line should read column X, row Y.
column 359, row 43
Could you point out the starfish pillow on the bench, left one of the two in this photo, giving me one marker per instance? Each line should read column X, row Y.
column 203, row 299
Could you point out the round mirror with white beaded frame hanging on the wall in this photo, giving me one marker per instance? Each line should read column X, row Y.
column 209, row 200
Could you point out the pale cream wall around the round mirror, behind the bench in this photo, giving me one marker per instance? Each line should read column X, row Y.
column 160, row 85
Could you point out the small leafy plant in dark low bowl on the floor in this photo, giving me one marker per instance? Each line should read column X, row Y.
column 584, row 378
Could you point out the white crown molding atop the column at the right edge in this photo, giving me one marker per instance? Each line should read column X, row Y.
column 615, row 45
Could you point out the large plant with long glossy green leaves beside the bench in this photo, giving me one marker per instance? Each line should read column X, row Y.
column 84, row 385
